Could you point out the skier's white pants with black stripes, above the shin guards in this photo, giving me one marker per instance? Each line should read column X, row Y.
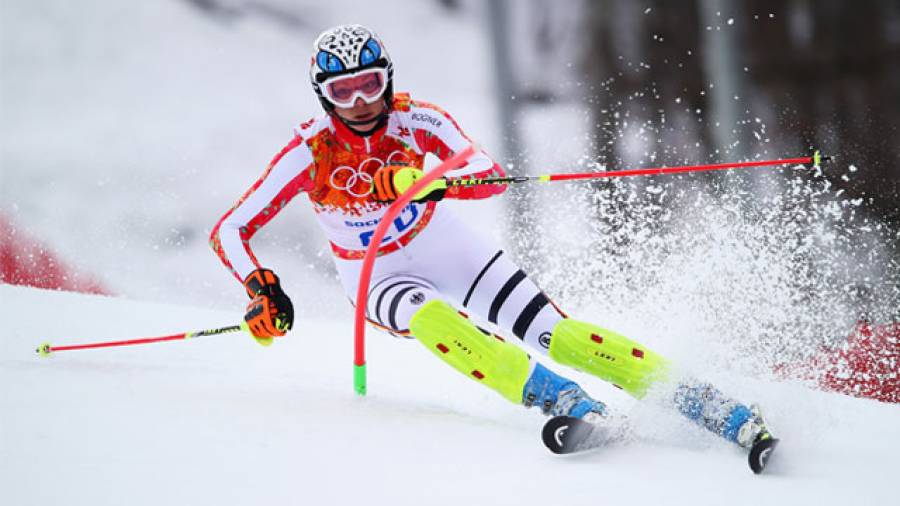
column 451, row 262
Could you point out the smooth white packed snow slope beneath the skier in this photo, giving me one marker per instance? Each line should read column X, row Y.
column 221, row 420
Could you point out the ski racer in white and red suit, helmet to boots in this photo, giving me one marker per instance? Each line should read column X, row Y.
column 365, row 151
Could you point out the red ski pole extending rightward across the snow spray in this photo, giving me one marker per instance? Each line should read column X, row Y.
column 815, row 161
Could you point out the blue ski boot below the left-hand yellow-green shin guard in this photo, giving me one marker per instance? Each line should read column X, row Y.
column 559, row 396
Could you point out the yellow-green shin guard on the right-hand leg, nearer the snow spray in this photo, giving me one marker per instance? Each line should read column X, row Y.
column 607, row 355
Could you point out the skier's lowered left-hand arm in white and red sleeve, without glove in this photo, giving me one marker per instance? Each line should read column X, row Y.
column 284, row 178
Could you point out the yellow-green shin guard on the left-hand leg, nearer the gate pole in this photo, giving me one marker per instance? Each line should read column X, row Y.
column 484, row 358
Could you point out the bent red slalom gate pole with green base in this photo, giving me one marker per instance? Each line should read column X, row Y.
column 365, row 275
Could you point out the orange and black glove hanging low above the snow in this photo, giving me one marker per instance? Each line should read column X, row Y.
column 270, row 312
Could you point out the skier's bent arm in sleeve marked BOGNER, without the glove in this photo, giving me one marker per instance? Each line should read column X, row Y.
column 437, row 133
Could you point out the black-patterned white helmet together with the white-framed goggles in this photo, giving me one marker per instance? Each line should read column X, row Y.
column 350, row 62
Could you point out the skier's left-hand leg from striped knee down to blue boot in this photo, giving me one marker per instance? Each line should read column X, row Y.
column 410, row 305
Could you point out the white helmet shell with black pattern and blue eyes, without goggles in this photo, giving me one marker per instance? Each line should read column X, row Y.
column 344, row 51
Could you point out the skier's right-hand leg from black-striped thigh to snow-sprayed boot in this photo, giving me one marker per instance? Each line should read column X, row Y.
column 498, row 290
